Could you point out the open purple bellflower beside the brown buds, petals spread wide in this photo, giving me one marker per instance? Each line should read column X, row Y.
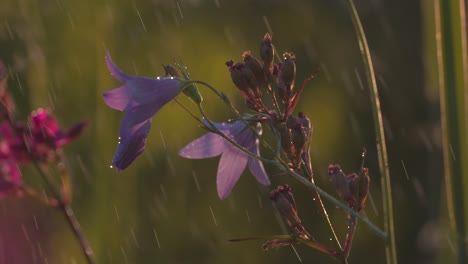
column 233, row 160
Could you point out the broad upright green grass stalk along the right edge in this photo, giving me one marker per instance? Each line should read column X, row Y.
column 452, row 60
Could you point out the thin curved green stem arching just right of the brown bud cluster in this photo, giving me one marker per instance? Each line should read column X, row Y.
column 380, row 134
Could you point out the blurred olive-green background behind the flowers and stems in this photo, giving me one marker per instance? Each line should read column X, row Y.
column 163, row 208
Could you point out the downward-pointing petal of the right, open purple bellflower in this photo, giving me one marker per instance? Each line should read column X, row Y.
column 230, row 168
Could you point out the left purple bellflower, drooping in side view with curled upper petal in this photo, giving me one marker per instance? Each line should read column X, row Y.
column 140, row 98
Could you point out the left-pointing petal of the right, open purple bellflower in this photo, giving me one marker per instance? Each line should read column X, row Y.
column 206, row 146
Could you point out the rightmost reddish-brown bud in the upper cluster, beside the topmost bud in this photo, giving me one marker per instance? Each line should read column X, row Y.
column 286, row 76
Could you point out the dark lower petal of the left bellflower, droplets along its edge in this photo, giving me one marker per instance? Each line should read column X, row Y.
column 133, row 134
